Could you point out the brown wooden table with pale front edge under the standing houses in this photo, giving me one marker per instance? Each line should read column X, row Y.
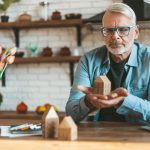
column 92, row 136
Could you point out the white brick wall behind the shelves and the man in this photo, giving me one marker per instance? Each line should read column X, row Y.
column 36, row 84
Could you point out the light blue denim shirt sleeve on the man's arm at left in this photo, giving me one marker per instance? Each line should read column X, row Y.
column 76, row 106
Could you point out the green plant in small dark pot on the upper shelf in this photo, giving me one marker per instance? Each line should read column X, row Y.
column 4, row 5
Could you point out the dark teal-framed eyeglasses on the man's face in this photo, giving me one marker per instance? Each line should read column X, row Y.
column 122, row 31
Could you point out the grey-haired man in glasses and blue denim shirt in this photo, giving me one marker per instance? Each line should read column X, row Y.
column 127, row 65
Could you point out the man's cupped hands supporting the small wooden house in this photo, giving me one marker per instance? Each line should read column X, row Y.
column 115, row 98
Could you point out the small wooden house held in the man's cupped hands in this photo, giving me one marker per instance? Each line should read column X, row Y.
column 102, row 85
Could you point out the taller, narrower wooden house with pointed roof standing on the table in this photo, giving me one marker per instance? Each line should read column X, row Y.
column 50, row 122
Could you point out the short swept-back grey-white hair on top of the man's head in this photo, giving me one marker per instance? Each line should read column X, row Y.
column 124, row 9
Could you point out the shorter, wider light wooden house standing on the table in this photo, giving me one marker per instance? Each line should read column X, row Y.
column 67, row 129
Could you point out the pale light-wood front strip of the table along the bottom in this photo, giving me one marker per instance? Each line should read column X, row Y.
column 67, row 145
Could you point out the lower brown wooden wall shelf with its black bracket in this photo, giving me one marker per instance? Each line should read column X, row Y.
column 55, row 59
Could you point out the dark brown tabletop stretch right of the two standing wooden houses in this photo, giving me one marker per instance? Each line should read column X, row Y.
column 113, row 131
